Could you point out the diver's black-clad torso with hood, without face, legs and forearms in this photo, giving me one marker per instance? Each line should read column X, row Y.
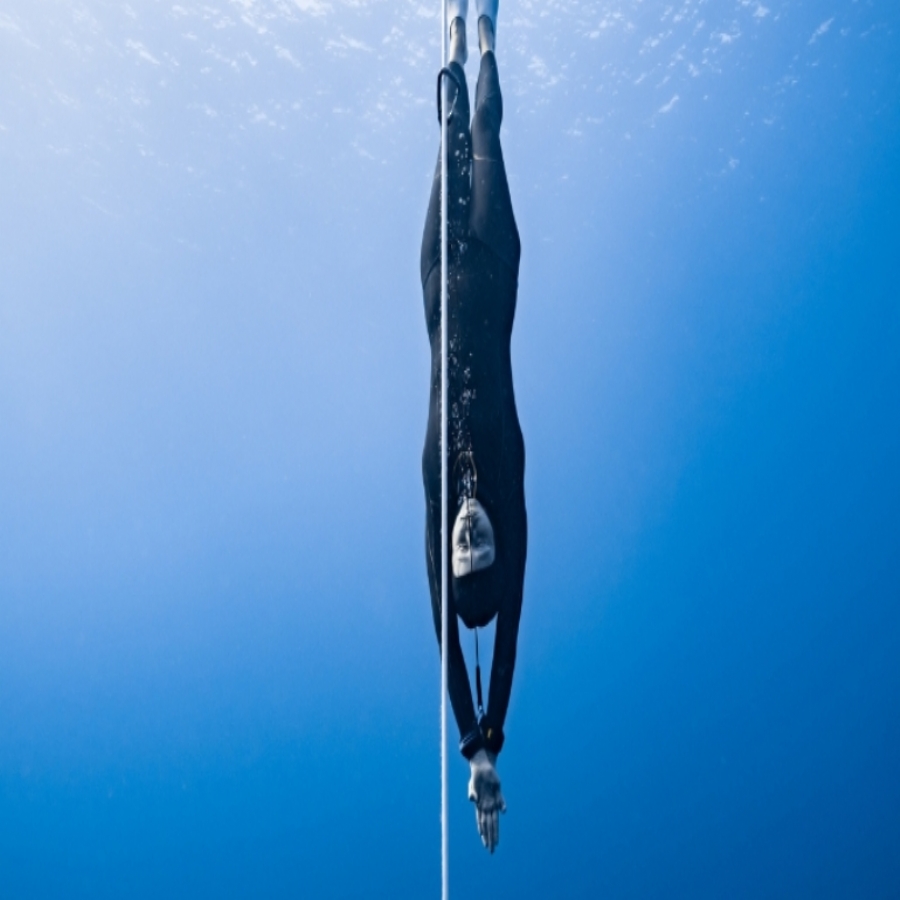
column 483, row 426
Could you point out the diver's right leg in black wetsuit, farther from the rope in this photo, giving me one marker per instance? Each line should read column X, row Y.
column 492, row 220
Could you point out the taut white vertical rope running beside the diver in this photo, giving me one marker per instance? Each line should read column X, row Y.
column 445, row 824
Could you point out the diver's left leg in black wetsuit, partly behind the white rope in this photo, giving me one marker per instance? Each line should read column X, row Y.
column 459, row 142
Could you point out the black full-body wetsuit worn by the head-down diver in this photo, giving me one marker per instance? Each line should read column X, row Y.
column 483, row 279
